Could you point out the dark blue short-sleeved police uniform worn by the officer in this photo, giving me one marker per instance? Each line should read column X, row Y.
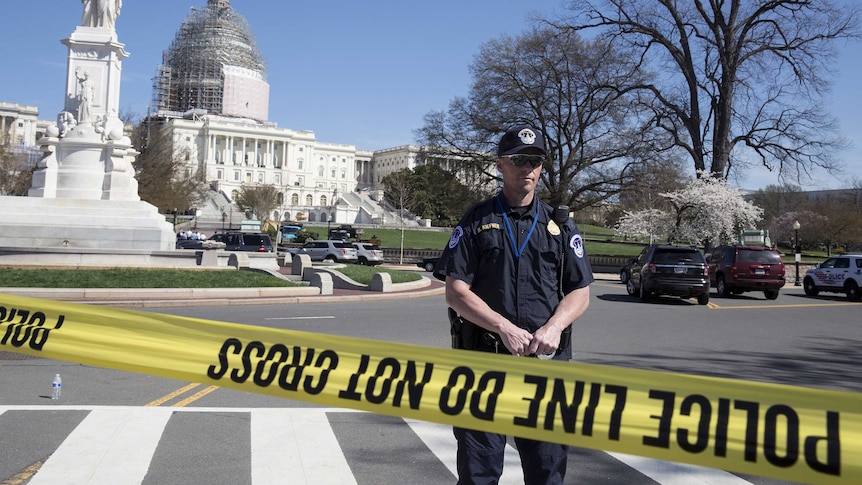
column 511, row 258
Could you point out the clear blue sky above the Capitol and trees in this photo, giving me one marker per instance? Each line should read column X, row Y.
column 359, row 72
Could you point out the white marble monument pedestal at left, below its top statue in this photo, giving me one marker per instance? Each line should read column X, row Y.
column 84, row 193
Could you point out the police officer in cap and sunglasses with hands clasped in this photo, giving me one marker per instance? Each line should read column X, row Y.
column 518, row 279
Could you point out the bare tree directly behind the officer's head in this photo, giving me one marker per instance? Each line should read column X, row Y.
column 573, row 90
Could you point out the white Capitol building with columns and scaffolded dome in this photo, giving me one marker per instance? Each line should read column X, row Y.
column 211, row 102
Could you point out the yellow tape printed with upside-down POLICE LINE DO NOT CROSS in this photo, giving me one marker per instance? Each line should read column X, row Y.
column 789, row 433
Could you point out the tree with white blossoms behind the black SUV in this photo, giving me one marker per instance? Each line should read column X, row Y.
column 705, row 211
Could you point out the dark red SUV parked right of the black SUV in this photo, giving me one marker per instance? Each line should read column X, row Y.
column 735, row 269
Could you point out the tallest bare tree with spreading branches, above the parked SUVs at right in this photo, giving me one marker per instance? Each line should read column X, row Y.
column 738, row 80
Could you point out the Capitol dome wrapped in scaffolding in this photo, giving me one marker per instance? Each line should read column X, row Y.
column 213, row 65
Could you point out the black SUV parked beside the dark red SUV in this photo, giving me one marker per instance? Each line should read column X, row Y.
column 669, row 270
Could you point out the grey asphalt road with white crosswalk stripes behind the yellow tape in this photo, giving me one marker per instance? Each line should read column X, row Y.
column 212, row 435
